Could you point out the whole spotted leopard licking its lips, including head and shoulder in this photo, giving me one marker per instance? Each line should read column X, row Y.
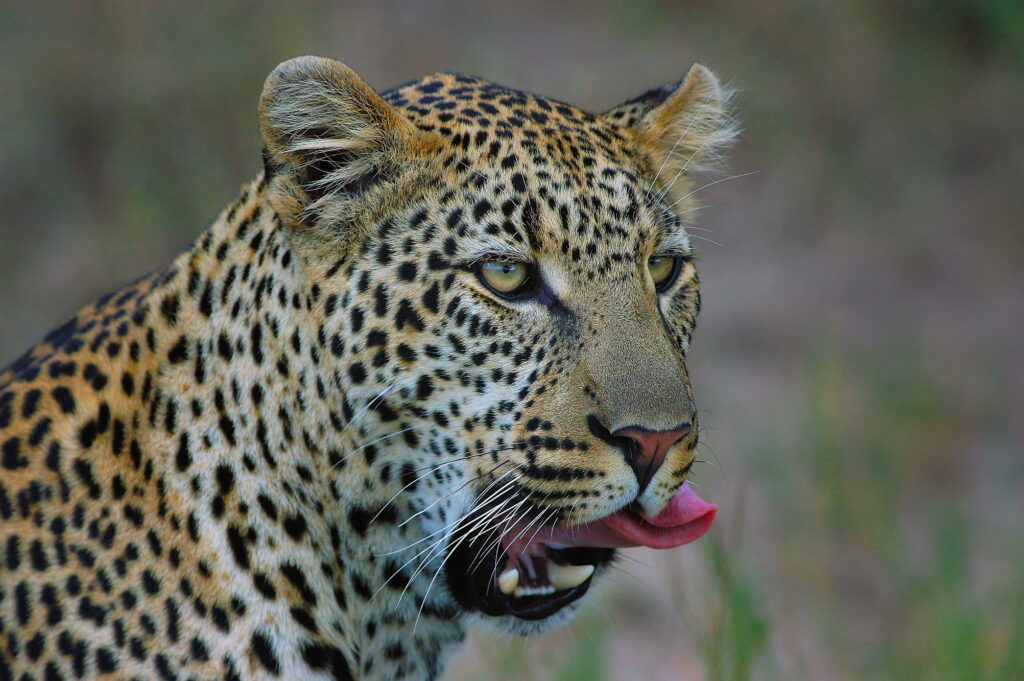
column 428, row 372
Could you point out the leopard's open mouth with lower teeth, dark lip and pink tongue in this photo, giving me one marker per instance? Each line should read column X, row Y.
column 533, row 571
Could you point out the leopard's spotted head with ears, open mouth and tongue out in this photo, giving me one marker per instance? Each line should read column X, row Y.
column 507, row 294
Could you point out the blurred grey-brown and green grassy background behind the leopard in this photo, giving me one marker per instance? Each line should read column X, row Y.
column 860, row 364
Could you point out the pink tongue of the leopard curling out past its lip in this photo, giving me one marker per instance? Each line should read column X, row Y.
column 687, row 519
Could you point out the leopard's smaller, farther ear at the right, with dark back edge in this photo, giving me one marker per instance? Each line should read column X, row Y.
column 685, row 127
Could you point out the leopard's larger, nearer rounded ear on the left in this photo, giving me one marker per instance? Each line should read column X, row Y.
column 333, row 146
